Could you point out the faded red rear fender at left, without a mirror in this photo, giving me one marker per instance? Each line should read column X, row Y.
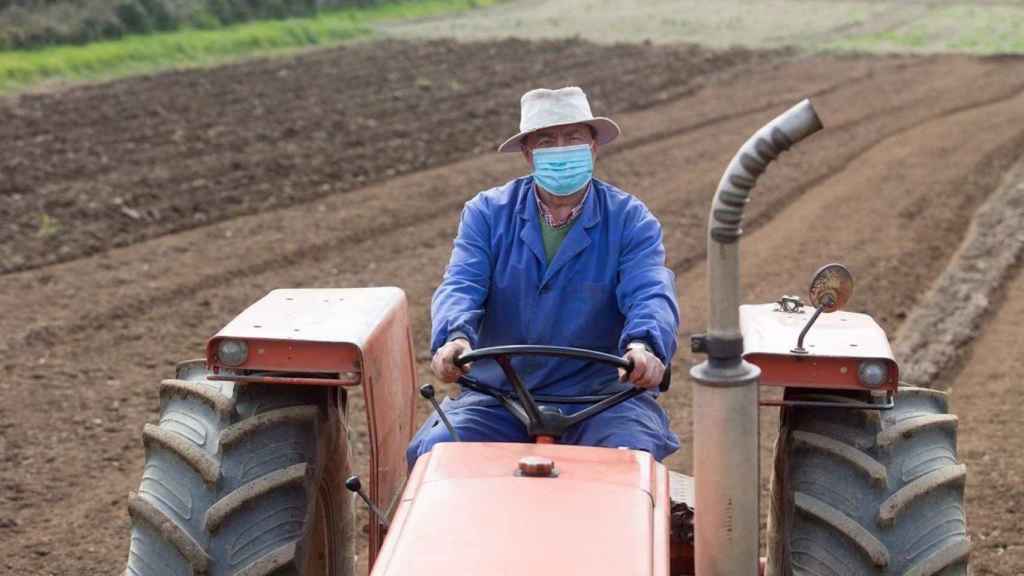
column 339, row 338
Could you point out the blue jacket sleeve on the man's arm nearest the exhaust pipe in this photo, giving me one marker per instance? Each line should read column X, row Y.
column 647, row 291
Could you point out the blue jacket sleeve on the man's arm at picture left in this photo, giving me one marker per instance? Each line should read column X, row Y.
column 458, row 304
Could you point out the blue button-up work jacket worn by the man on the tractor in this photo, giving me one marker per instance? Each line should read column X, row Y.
column 607, row 286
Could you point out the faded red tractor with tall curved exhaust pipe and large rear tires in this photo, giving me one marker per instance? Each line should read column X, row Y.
column 248, row 471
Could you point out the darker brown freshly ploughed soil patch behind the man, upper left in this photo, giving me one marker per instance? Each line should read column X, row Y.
column 133, row 160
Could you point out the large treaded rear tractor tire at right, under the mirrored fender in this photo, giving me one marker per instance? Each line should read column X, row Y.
column 869, row 492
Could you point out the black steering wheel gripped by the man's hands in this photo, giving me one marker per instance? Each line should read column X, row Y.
column 543, row 422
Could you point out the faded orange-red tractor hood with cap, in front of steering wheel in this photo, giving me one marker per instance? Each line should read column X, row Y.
column 466, row 512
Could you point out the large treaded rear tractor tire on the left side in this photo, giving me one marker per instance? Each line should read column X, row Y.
column 243, row 480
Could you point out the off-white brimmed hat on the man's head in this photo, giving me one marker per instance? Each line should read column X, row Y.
column 543, row 109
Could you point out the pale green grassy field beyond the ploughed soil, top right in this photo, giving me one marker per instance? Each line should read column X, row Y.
column 814, row 26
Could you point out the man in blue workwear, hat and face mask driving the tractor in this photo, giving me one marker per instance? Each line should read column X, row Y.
column 557, row 258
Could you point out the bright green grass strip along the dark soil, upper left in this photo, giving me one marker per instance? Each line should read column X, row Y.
column 135, row 55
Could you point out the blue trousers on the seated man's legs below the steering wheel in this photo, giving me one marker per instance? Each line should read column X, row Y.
column 639, row 424
